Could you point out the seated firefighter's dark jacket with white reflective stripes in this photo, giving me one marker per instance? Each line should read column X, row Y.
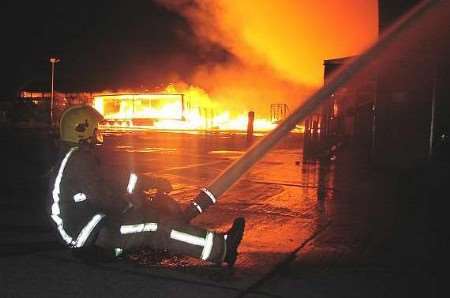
column 83, row 194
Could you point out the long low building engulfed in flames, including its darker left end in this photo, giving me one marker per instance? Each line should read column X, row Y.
column 191, row 109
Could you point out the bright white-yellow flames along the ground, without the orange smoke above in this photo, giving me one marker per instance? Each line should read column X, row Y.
column 191, row 109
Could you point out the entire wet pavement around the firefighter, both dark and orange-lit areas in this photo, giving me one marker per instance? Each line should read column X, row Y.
column 314, row 228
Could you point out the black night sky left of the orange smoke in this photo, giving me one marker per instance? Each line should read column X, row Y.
column 102, row 45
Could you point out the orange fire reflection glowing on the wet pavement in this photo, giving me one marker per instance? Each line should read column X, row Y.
column 282, row 199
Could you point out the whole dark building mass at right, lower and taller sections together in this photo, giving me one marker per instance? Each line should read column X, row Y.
column 398, row 110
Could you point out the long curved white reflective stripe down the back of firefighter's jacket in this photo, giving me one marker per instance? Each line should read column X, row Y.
column 55, row 194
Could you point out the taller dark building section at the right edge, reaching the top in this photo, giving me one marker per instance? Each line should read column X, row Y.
column 412, row 100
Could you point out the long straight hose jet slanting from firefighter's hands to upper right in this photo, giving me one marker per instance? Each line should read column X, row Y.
column 209, row 194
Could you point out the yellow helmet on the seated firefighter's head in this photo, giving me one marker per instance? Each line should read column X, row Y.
column 79, row 123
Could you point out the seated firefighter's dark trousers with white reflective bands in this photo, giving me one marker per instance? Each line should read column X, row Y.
column 135, row 230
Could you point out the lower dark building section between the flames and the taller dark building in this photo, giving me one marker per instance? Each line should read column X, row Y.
column 346, row 117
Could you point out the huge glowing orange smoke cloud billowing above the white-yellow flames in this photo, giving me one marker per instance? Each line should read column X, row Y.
column 278, row 45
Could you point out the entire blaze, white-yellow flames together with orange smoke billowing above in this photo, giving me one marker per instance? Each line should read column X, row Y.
column 275, row 53
